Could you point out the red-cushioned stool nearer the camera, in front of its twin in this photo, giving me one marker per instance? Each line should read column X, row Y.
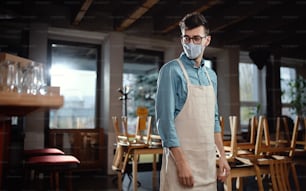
column 53, row 164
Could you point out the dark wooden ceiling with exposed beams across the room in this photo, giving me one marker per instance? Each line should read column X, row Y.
column 276, row 26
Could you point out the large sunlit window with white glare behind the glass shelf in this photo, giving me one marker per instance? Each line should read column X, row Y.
column 74, row 69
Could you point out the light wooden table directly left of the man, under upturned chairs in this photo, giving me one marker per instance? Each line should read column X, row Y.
column 139, row 151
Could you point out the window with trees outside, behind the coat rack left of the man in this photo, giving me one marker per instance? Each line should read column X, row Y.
column 140, row 78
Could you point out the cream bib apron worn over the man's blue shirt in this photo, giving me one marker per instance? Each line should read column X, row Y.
column 195, row 128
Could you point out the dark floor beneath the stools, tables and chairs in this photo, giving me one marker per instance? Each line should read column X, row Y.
column 96, row 181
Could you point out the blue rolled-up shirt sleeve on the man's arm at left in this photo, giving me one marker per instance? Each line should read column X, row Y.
column 165, row 106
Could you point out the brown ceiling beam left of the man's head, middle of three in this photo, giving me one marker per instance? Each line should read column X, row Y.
column 141, row 10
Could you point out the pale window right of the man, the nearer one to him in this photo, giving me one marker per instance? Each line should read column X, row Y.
column 251, row 89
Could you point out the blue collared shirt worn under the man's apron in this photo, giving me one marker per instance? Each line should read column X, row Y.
column 172, row 93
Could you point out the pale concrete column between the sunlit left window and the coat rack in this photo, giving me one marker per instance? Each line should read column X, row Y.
column 112, row 70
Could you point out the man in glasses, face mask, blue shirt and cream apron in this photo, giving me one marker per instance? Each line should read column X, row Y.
column 187, row 115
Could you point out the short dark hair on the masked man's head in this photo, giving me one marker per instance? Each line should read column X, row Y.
column 193, row 20
